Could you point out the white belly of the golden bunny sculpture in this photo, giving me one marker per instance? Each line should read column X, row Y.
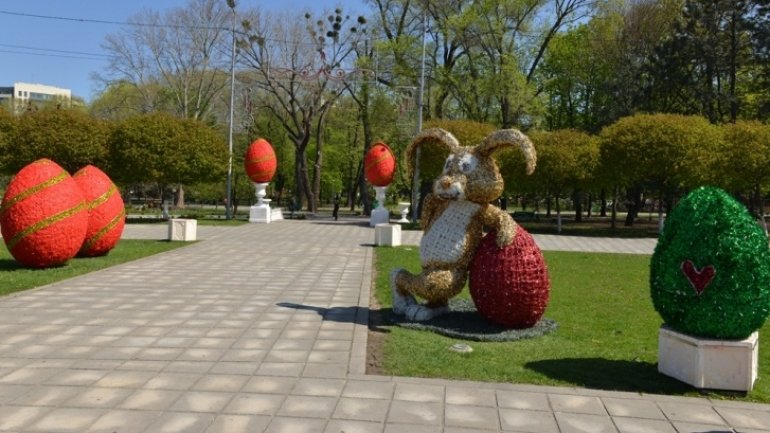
column 445, row 241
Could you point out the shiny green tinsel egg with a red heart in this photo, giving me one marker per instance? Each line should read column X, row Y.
column 710, row 273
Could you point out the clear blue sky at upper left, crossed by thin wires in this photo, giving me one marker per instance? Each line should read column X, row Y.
column 42, row 50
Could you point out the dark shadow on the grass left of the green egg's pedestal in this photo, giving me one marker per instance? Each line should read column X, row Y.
column 608, row 374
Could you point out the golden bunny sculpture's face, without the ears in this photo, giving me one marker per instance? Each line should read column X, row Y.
column 467, row 176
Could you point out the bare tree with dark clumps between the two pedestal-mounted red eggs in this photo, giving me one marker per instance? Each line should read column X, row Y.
column 299, row 69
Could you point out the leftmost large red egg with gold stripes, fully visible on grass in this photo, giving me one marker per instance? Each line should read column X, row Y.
column 43, row 215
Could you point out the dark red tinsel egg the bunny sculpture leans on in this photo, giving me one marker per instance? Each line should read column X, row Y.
column 510, row 286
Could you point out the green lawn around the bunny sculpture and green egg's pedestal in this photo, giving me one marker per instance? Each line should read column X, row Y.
column 607, row 336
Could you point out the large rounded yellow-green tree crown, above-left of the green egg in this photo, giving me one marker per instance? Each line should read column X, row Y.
column 670, row 151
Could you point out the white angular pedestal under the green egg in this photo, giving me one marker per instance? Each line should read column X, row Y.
column 709, row 364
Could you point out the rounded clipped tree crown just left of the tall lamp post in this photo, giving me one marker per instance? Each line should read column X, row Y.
column 157, row 147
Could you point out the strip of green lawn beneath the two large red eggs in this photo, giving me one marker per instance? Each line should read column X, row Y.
column 15, row 277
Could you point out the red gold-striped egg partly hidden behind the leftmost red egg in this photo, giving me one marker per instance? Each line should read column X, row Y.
column 106, row 212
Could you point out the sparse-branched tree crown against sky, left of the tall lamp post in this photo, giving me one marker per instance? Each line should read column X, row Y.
column 174, row 61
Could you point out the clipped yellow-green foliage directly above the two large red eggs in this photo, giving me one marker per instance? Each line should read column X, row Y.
column 72, row 138
